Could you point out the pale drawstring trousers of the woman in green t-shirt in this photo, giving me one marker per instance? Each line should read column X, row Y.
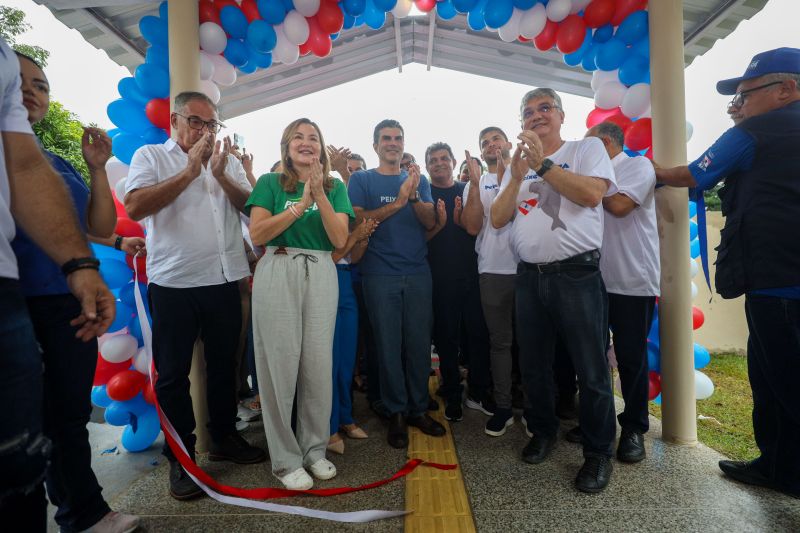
column 294, row 313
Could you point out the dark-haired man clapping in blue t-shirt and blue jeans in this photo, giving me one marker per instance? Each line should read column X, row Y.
column 397, row 280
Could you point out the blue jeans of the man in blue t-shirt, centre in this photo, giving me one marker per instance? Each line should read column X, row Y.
column 401, row 313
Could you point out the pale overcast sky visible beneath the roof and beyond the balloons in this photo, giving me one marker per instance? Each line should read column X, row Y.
column 439, row 105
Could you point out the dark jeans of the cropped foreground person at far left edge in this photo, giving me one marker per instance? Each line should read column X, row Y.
column 23, row 447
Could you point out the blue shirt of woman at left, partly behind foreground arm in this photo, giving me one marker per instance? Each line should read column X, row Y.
column 38, row 274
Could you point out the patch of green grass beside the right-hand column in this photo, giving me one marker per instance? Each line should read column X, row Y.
column 725, row 419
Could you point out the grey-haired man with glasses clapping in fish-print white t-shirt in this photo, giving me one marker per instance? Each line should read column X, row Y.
column 553, row 193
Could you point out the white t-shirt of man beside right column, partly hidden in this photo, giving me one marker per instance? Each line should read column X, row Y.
column 629, row 261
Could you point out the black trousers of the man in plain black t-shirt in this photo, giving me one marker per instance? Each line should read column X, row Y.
column 454, row 299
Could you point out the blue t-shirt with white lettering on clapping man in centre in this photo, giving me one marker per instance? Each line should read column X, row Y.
column 398, row 246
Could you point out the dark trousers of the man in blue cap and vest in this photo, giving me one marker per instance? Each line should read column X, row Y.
column 773, row 362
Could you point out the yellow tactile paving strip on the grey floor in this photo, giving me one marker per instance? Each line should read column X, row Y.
column 438, row 498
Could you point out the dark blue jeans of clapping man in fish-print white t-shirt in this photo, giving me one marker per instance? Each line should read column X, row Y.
column 571, row 306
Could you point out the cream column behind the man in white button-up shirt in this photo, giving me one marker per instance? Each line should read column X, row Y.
column 184, row 75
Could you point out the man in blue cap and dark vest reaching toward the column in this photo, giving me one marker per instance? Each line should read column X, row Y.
column 759, row 159
